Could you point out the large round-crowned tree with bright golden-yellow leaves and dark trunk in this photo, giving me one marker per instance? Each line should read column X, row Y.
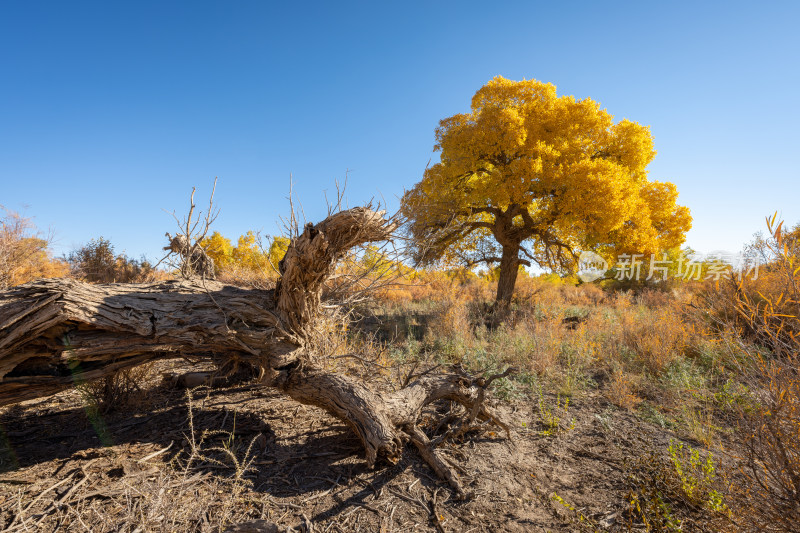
column 531, row 177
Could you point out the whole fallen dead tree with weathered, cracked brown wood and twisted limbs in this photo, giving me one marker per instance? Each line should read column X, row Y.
column 56, row 333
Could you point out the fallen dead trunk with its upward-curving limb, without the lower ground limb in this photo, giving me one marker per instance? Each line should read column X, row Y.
column 55, row 333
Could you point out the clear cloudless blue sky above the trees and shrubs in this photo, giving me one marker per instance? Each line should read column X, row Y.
column 111, row 111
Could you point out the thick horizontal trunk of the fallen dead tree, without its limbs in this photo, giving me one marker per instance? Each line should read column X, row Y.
column 59, row 332
